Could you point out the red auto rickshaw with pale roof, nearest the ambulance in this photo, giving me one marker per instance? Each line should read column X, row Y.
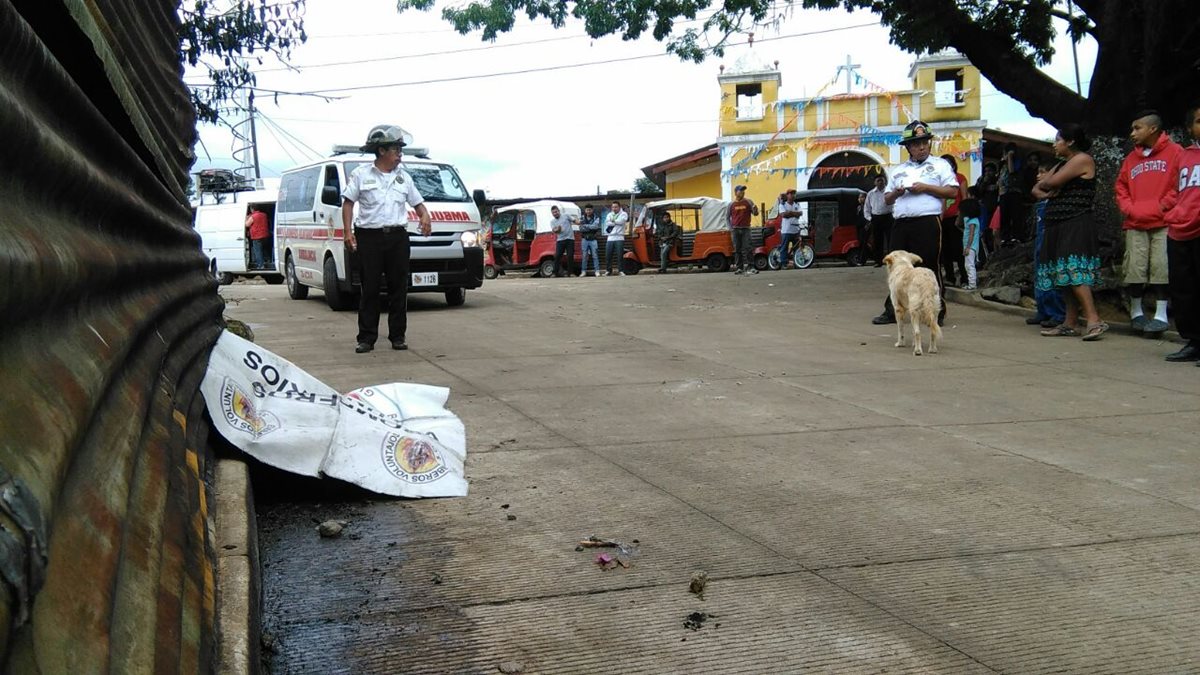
column 520, row 238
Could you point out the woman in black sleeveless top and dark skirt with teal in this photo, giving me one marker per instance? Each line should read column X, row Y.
column 1071, row 253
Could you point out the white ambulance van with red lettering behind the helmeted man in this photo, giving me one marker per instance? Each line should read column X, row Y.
column 310, row 240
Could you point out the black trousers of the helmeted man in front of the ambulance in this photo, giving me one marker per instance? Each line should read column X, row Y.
column 383, row 255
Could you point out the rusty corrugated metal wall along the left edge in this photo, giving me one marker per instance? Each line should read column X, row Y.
column 106, row 320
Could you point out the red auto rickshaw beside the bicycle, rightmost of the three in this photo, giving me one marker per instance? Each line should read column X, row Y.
column 829, row 230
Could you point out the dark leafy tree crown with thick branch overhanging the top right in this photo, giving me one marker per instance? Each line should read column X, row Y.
column 1149, row 50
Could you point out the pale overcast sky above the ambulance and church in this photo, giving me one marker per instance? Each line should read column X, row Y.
column 565, row 132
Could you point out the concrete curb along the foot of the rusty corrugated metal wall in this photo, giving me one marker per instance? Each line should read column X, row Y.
column 239, row 601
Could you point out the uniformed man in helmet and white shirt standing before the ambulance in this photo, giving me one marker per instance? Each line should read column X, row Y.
column 383, row 193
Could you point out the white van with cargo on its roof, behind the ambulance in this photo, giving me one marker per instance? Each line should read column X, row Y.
column 221, row 223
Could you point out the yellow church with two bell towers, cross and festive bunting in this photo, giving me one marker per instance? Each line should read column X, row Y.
column 843, row 136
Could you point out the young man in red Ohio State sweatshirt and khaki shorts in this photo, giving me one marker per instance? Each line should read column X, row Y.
column 1142, row 186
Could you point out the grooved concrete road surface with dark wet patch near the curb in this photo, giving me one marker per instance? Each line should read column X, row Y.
column 1013, row 504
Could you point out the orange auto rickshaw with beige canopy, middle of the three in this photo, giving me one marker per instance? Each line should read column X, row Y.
column 706, row 235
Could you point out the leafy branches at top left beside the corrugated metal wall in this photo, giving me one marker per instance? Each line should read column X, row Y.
column 225, row 37
